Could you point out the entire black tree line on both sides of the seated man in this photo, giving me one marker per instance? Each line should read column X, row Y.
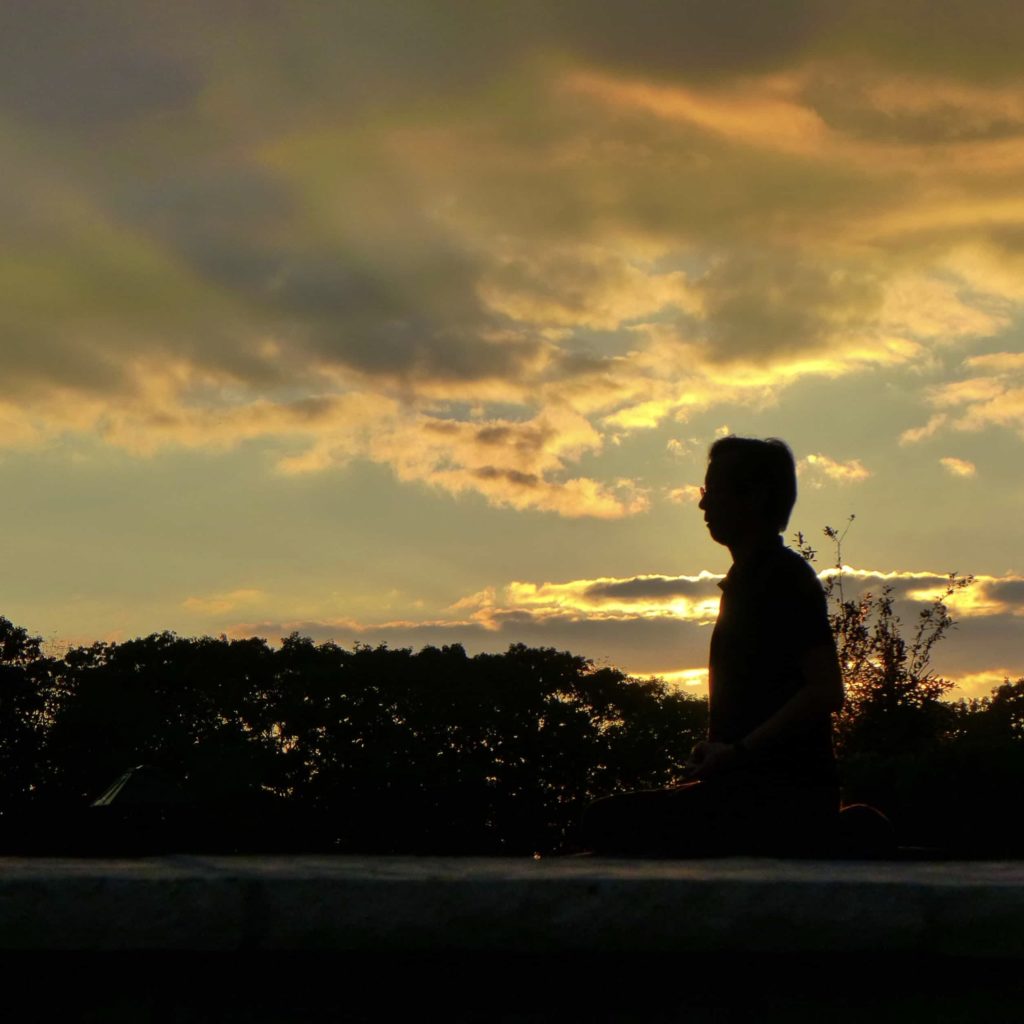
column 248, row 746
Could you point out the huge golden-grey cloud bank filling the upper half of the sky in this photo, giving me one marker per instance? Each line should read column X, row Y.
column 484, row 250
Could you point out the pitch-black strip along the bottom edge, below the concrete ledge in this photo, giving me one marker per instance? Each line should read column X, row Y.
column 698, row 989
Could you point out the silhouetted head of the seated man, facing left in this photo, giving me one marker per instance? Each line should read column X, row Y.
column 750, row 488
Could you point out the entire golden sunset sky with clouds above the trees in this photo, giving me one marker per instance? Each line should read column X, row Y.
column 411, row 322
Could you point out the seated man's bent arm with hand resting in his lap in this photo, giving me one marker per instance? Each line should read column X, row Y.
column 822, row 695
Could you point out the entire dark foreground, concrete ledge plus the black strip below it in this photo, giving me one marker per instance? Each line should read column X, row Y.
column 189, row 938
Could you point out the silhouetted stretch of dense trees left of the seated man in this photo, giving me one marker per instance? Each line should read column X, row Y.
column 397, row 751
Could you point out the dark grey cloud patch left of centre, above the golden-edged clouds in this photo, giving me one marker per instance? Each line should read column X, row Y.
column 404, row 309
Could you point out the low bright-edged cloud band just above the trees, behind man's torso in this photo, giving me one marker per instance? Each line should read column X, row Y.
column 653, row 624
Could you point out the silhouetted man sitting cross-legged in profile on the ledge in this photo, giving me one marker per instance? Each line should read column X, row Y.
column 765, row 780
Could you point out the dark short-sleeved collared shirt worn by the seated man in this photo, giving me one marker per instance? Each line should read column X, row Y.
column 773, row 613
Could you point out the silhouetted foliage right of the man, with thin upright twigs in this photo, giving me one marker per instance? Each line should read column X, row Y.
column 947, row 773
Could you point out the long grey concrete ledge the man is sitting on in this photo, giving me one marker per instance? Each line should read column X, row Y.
column 404, row 905
